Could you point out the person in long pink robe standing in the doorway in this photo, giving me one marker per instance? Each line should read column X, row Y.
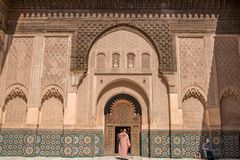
column 124, row 144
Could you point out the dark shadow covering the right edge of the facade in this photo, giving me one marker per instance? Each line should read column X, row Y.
column 223, row 100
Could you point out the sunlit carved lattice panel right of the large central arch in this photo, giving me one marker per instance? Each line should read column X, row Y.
column 192, row 62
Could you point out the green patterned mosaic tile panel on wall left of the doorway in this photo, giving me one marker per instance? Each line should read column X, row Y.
column 51, row 143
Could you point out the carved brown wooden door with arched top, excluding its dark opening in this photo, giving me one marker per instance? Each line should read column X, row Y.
column 122, row 113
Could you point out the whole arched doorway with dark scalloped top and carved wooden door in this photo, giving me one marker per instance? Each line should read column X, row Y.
column 122, row 111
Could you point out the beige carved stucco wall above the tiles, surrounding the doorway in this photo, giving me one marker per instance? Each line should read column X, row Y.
column 199, row 94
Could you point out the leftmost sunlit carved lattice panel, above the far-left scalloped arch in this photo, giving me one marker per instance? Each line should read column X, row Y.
column 20, row 61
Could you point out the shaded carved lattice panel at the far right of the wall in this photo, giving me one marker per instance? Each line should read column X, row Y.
column 227, row 61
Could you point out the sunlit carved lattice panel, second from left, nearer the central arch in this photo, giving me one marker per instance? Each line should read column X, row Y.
column 55, row 61
